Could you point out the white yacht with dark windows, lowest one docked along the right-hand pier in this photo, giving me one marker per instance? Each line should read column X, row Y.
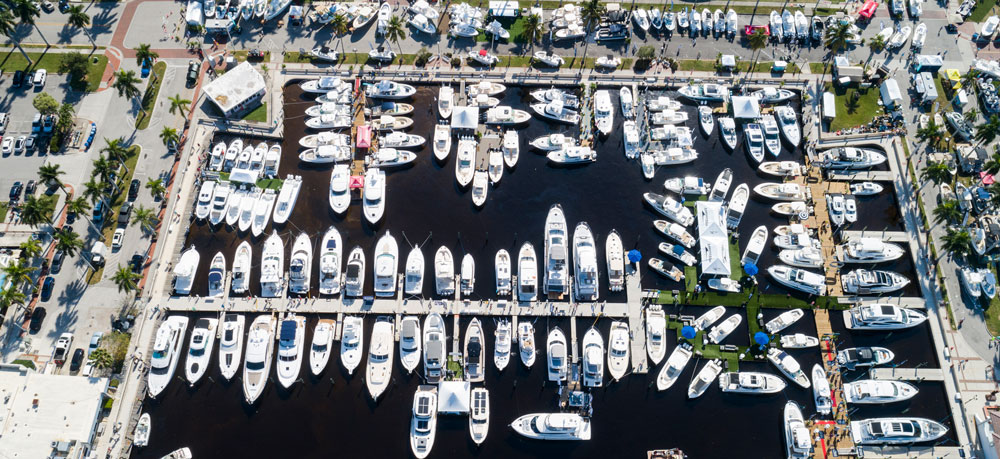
column 896, row 431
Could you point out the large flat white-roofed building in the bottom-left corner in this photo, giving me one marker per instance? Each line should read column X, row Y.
column 48, row 415
